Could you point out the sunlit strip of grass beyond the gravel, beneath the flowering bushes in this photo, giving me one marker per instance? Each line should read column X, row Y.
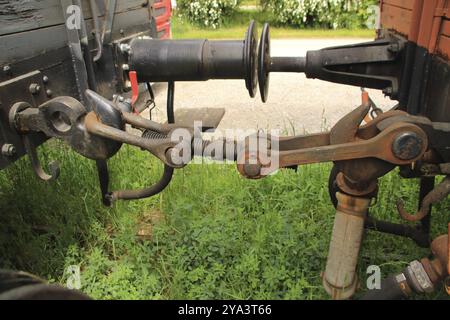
column 236, row 27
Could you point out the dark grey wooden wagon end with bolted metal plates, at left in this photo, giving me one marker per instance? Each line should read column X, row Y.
column 65, row 47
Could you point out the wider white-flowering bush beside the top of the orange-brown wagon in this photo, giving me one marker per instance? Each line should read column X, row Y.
column 320, row 13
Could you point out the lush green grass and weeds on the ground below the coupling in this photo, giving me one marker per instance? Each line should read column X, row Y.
column 220, row 236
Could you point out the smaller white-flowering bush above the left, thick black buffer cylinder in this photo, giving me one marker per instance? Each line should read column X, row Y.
column 206, row 13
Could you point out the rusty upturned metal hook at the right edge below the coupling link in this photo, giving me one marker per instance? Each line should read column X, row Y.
column 435, row 196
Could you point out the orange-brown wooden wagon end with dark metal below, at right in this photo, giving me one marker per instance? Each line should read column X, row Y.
column 426, row 27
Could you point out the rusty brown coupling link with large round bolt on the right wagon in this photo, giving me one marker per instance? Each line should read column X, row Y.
column 369, row 142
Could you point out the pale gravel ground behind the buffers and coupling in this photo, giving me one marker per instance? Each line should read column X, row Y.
column 295, row 104
